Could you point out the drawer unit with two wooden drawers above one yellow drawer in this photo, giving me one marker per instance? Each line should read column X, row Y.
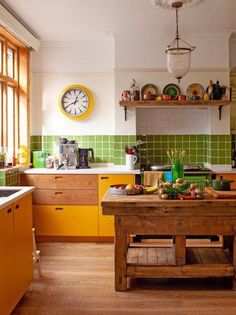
column 64, row 205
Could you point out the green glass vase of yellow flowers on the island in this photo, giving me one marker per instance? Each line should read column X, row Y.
column 176, row 158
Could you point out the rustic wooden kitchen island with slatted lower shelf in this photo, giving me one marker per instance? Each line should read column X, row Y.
column 148, row 215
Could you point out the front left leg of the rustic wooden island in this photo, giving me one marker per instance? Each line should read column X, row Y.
column 121, row 248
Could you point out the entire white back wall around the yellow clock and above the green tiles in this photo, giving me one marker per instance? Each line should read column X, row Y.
column 58, row 64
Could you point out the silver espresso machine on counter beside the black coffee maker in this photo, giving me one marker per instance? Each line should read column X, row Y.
column 68, row 155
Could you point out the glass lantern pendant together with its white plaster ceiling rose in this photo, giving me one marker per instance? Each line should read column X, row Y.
column 179, row 51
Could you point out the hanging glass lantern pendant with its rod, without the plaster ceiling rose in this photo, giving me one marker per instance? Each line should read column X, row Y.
column 178, row 52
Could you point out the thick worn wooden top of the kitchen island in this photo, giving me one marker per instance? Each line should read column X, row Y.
column 152, row 204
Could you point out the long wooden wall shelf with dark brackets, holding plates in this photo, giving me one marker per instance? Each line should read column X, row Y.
column 174, row 104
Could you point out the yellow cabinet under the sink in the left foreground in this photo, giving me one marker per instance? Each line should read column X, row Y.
column 16, row 263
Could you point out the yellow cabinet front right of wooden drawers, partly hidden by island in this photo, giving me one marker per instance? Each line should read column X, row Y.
column 105, row 222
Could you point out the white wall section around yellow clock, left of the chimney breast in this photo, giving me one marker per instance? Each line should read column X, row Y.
column 58, row 65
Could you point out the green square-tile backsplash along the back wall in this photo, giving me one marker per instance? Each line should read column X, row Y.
column 214, row 149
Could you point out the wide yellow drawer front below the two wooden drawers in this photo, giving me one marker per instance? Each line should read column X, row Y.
column 65, row 220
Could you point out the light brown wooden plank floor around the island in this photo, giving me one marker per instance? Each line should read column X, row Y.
column 78, row 279
